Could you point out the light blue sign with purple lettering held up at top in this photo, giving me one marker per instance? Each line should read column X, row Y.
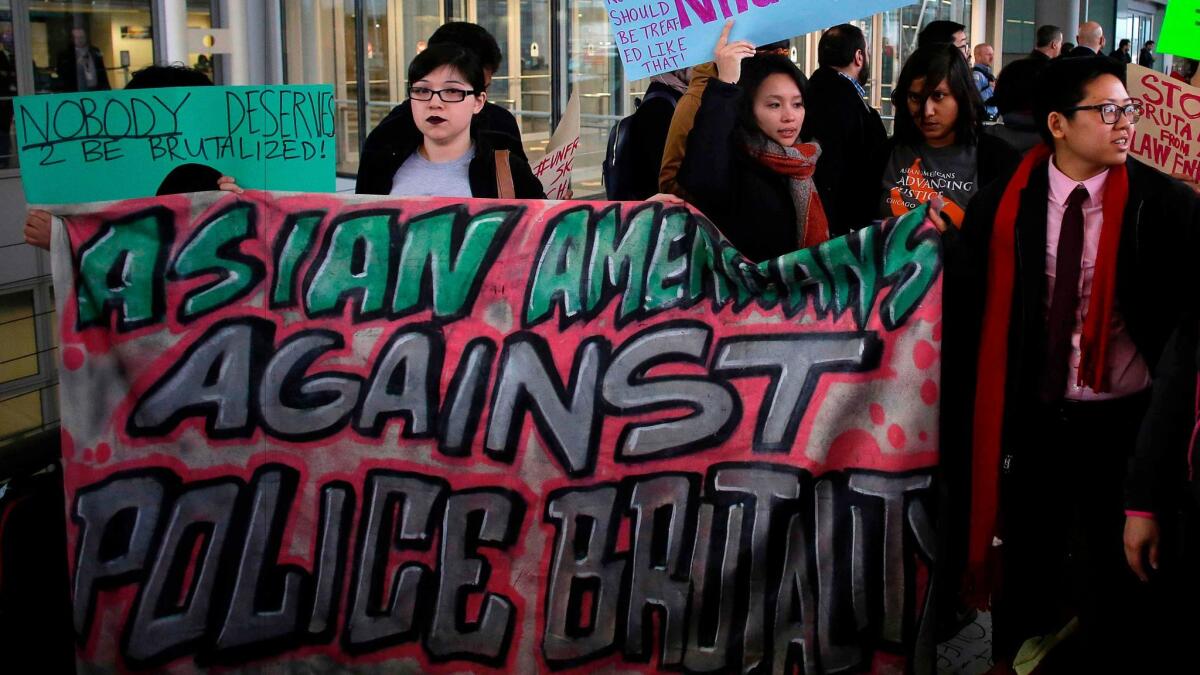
column 656, row 37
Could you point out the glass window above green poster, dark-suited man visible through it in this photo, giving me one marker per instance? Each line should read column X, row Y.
column 93, row 47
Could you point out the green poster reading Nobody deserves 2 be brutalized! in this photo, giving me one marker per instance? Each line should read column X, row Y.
column 105, row 146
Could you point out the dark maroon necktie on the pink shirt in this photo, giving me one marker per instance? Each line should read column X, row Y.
column 1061, row 320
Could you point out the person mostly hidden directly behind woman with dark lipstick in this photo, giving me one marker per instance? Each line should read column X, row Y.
column 506, row 134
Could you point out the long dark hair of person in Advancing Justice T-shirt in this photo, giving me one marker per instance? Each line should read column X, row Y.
column 938, row 63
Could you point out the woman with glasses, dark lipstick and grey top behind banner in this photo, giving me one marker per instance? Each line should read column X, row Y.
column 442, row 153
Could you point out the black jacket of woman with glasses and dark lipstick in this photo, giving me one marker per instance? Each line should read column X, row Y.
column 397, row 138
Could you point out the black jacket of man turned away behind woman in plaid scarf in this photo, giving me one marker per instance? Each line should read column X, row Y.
column 854, row 145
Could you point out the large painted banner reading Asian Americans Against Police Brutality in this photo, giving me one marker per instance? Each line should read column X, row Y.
column 429, row 435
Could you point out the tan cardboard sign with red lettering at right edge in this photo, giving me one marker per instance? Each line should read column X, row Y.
column 1168, row 136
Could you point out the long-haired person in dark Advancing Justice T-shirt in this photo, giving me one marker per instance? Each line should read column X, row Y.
column 938, row 147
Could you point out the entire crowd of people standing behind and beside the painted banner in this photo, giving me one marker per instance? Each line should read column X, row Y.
column 1071, row 349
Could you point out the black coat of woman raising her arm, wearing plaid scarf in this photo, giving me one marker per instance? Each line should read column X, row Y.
column 749, row 204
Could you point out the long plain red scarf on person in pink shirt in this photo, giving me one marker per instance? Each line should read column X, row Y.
column 993, row 371
